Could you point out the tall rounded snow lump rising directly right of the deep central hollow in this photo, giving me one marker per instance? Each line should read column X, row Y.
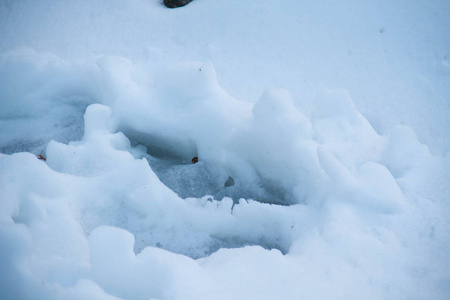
column 276, row 143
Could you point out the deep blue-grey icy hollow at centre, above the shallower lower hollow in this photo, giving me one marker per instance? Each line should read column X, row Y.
column 178, row 166
